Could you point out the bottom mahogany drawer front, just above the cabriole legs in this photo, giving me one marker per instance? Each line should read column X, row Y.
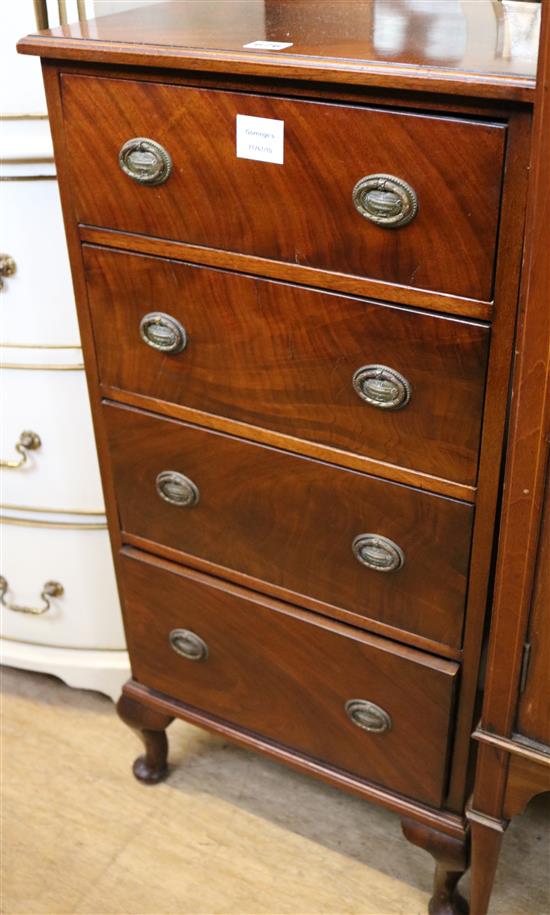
column 287, row 676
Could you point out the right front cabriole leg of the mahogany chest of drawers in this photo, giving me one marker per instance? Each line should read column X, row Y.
column 451, row 859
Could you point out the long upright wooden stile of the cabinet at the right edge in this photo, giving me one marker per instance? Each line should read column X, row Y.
column 528, row 440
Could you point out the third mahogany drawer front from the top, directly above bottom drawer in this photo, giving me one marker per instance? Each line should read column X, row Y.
column 291, row 522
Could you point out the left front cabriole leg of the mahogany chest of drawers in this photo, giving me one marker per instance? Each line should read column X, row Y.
column 150, row 726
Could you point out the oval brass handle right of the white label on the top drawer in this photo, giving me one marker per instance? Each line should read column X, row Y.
column 385, row 200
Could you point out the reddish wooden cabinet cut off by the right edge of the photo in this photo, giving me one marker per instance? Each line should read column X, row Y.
column 512, row 768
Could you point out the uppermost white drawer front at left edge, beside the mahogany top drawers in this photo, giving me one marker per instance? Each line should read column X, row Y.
column 37, row 301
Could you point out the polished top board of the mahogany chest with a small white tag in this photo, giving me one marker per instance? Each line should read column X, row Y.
column 478, row 48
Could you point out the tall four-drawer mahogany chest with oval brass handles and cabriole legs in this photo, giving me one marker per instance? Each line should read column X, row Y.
column 297, row 269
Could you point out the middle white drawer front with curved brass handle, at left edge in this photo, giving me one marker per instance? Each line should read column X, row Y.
column 63, row 472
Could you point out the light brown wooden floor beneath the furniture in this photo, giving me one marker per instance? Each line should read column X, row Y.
column 228, row 833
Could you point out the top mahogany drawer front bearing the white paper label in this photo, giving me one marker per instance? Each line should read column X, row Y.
column 301, row 211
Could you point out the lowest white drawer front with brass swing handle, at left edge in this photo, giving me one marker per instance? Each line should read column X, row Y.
column 88, row 613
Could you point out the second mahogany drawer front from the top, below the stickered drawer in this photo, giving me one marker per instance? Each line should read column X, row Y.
column 285, row 358
